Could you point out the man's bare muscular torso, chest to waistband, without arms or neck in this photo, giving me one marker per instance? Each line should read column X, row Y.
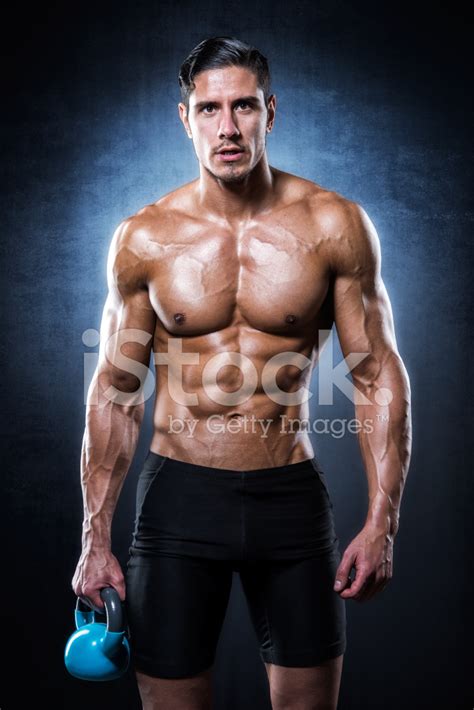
column 236, row 294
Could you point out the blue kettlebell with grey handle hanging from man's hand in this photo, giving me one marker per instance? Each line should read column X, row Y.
column 98, row 651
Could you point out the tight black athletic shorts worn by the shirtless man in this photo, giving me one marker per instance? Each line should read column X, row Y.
column 194, row 527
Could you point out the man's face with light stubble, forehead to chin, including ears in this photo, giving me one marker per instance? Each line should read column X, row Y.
column 227, row 110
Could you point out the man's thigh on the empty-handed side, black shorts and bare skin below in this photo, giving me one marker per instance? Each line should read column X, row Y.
column 300, row 624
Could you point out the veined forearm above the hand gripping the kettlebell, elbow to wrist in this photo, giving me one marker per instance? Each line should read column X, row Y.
column 108, row 446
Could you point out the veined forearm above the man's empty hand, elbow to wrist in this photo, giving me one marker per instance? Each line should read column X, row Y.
column 385, row 442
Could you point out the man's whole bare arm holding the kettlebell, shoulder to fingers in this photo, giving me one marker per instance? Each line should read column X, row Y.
column 114, row 412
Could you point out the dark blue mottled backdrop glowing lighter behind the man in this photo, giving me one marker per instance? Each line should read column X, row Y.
column 371, row 102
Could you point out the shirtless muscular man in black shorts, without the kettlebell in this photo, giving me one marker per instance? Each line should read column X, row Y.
column 228, row 282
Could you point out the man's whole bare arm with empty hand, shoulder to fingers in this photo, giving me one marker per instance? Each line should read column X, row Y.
column 364, row 322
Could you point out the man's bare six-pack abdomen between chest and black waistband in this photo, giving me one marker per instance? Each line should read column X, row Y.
column 232, row 416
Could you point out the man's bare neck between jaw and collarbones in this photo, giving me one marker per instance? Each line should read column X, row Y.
column 236, row 201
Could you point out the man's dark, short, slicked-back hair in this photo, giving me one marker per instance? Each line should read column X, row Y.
column 217, row 52
